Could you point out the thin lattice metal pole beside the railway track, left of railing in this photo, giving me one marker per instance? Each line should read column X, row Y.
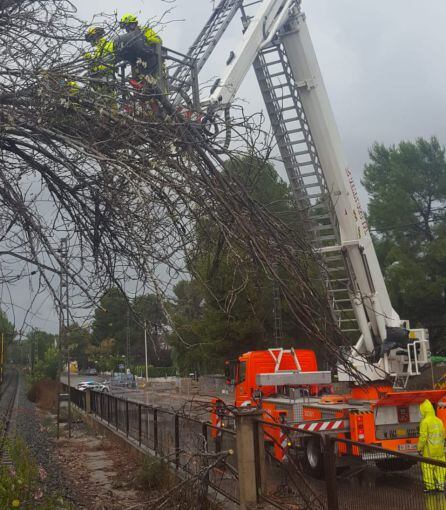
column 64, row 321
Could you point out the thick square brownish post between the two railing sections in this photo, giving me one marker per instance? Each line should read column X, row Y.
column 246, row 430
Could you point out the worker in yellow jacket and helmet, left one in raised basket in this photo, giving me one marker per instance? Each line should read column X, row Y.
column 102, row 59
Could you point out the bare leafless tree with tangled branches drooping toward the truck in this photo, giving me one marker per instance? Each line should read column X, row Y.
column 126, row 184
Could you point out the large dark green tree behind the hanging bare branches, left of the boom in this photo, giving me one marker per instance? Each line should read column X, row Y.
column 226, row 308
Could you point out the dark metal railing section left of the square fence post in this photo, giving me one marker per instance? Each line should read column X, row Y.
column 182, row 440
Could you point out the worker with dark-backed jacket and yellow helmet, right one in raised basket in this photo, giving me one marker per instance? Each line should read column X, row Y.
column 142, row 47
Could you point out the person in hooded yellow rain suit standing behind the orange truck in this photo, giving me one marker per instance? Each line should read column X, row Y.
column 431, row 446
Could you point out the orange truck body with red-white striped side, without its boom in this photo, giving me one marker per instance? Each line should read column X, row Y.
column 288, row 387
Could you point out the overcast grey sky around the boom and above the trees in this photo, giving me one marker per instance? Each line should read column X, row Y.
column 383, row 63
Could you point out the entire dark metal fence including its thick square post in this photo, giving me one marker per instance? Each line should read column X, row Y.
column 236, row 464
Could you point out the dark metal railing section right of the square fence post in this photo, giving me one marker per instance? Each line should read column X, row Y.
column 354, row 475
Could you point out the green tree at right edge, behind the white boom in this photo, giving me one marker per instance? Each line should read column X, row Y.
column 407, row 212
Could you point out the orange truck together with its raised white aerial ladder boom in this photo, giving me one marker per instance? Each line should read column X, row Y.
column 275, row 41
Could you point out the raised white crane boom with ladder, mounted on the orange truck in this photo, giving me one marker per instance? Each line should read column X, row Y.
column 277, row 42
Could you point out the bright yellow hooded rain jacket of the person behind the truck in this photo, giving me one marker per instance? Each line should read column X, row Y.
column 432, row 433
